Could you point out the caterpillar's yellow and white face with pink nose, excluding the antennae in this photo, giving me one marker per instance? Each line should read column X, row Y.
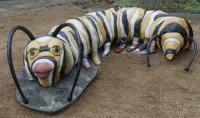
column 43, row 59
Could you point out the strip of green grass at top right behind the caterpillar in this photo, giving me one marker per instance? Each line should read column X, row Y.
column 192, row 6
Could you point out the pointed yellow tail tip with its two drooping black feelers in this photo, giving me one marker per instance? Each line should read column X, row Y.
column 172, row 43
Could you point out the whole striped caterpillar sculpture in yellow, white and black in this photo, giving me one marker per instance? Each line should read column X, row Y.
column 48, row 57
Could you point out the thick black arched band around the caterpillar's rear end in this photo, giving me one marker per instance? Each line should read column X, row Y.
column 175, row 27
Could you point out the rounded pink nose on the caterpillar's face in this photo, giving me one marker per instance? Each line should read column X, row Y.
column 42, row 70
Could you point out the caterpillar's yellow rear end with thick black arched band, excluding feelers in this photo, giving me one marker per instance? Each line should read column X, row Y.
column 175, row 34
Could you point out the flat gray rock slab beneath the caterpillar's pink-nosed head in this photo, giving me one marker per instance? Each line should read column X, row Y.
column 53, row 99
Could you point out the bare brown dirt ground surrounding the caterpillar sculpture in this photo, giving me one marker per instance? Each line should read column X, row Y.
column 124, row 87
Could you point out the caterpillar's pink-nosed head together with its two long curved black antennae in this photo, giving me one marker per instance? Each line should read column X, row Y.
column 44, row 56
